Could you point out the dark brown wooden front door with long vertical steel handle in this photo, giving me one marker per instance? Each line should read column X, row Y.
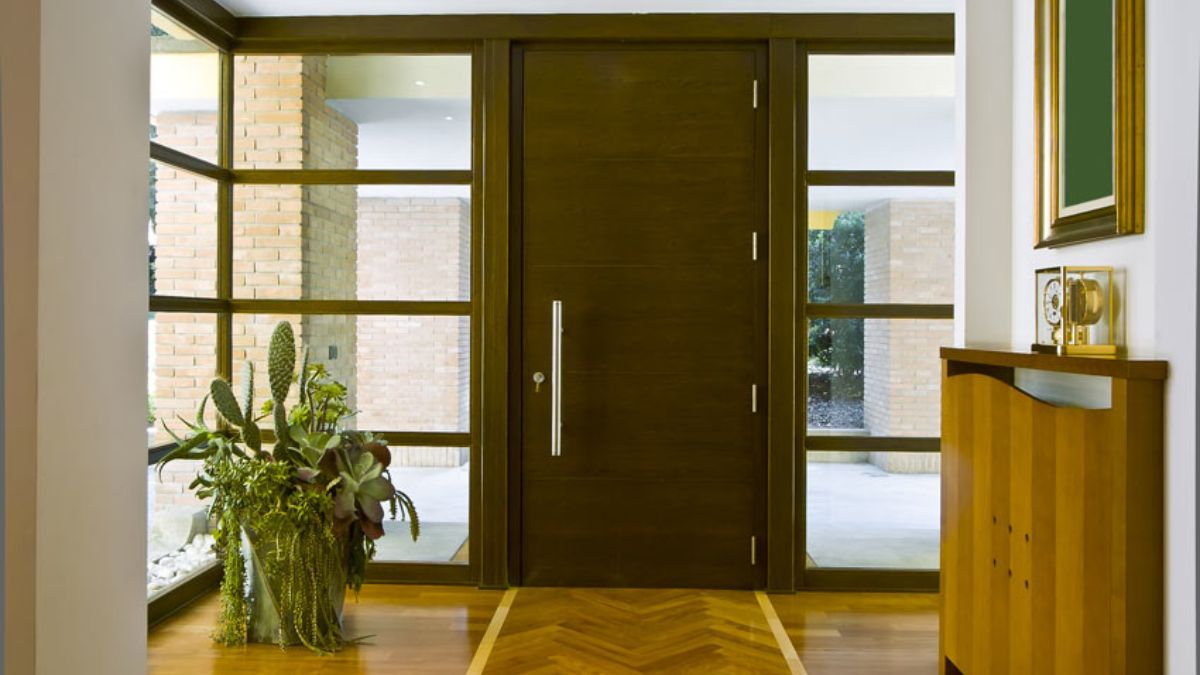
column 640, row 193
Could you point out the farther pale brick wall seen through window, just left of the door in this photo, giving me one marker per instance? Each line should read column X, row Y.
column 415, row 373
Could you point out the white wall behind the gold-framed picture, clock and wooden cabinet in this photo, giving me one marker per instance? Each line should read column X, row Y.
column 1157, row 270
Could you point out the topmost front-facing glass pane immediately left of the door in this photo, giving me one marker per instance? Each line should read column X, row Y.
column 368, row 112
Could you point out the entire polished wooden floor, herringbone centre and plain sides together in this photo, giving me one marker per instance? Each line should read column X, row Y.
column 437, row 630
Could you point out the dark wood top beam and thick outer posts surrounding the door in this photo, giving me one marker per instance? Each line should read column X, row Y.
column 490, row 39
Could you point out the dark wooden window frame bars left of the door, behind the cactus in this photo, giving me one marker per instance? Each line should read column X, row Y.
column 226, row 306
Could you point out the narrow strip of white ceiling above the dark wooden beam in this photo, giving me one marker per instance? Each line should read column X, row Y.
column 352, row 8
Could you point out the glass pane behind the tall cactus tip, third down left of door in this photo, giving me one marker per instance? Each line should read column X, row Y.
column 405, row 373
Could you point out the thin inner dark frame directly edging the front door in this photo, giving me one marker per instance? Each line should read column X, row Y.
column 517, row 283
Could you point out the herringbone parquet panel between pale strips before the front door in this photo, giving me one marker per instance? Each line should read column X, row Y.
column 620, row 632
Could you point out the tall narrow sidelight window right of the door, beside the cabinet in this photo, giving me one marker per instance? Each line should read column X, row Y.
column 880, row 289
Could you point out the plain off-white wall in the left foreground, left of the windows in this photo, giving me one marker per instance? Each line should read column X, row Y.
column 91, row 586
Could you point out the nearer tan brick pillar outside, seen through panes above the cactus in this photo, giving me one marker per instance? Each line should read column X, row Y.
column 293, row 242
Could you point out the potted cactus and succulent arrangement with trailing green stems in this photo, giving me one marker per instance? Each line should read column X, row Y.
column 309, row 509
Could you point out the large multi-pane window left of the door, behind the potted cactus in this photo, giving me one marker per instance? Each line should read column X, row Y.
column 335, row 193
